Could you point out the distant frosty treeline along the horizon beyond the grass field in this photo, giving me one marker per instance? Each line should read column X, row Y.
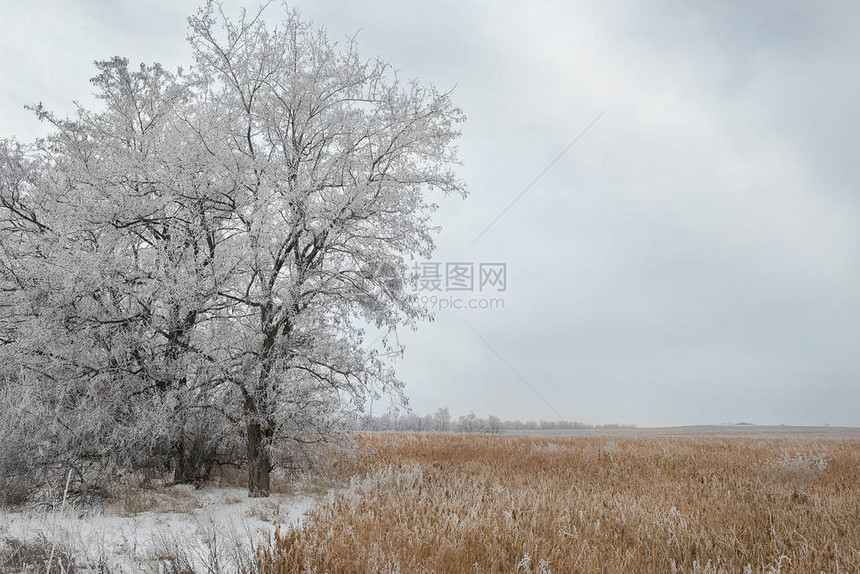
column 442, row 421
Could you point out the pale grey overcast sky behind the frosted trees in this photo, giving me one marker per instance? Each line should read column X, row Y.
column 694, row 258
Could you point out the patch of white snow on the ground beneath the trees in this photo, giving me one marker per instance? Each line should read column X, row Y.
column 209, row 530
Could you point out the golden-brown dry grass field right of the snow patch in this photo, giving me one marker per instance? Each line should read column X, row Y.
column 453, row 503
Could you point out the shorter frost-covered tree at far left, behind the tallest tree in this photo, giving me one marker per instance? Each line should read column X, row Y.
column 106, row 266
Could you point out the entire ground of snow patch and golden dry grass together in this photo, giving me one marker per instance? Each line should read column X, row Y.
column 709, row 499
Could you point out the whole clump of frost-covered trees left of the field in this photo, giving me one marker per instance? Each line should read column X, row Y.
column 218, row 239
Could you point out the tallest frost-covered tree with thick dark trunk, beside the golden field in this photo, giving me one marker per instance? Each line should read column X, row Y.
column 332, row 158
